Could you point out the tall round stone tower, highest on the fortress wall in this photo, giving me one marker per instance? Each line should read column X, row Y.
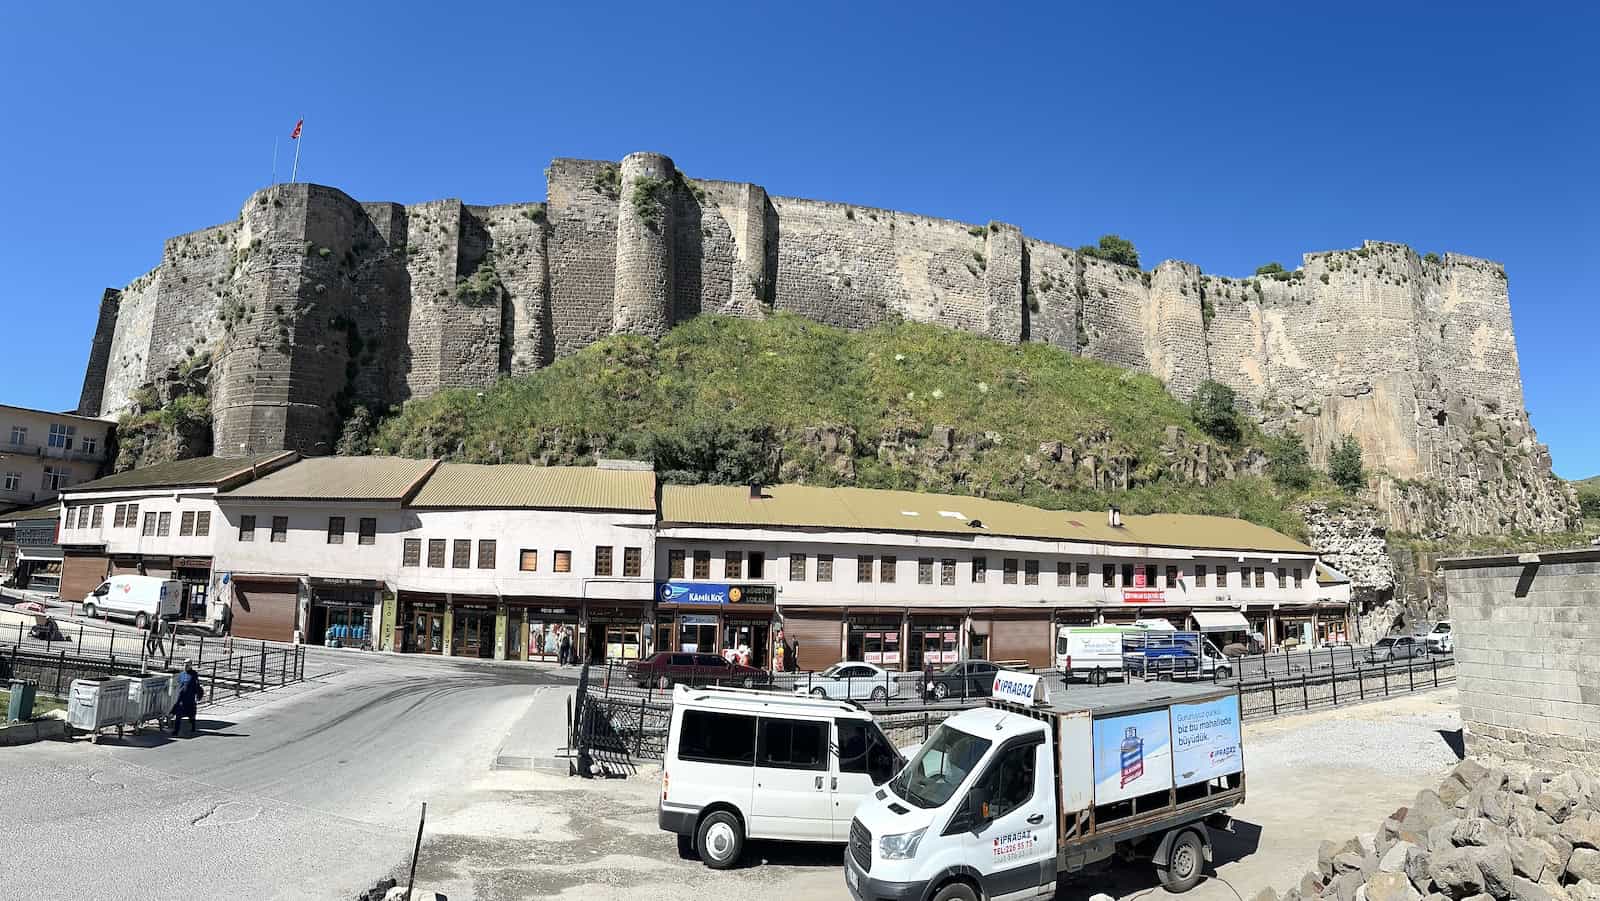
column 644, row 247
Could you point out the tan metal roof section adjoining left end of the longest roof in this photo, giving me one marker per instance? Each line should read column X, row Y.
column 548, row 487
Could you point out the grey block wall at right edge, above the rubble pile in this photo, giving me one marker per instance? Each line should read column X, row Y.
column 1527, row 673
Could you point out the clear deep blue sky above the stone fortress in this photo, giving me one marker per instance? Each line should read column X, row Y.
column 1223, row 138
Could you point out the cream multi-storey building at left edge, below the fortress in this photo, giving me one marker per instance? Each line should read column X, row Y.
column 42, row 454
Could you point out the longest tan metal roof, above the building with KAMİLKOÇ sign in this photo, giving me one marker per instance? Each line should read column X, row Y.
column 804, row 507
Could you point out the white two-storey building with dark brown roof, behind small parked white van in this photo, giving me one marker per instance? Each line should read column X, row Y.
column 159, row 521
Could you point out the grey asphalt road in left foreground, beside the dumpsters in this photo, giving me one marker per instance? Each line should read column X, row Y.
column 305, row 793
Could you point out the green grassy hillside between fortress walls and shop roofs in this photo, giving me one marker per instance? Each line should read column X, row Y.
column 791, row 401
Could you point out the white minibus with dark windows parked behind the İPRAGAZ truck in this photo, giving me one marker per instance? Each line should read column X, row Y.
column 748, row 764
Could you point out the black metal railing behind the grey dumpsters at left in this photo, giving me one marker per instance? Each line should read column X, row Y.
column 222, row 676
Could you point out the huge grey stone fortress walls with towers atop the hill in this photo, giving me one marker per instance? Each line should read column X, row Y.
column 311, row 303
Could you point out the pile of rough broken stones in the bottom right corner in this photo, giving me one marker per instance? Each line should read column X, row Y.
column 1482, row 836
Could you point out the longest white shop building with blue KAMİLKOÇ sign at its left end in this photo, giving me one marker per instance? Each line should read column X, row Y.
column 905, row 579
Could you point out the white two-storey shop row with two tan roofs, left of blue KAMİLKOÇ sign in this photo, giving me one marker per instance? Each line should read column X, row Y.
column 503, row 563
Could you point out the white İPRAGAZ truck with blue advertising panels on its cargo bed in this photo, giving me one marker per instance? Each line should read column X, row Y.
column 1004, row 799
